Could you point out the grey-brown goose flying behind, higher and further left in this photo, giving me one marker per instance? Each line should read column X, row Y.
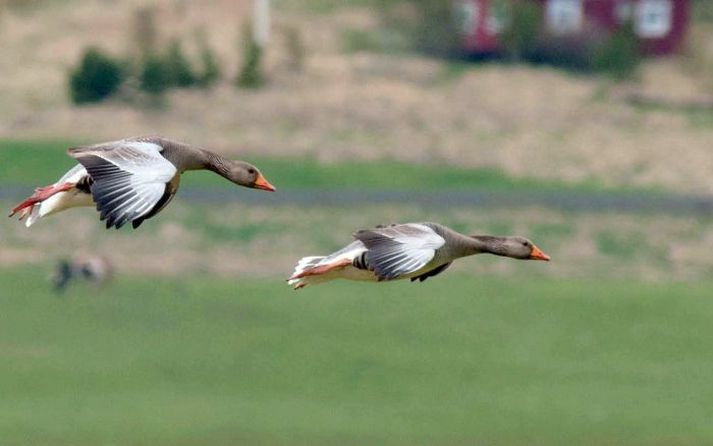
column 131, row 180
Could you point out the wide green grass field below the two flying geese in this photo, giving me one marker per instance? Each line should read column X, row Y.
column 457, row 360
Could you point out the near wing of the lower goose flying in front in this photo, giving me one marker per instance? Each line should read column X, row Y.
column 397, row 250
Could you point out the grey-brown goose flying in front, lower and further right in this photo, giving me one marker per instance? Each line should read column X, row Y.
column 413, row 251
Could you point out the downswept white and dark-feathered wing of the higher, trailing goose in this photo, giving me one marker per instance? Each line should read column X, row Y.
column 130, row 178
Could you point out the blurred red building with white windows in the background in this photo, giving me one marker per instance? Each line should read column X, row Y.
column 659, row 24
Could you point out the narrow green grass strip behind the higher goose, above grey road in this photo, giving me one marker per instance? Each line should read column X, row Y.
column 43, row 162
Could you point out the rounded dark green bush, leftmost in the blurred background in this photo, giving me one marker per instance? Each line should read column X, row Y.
column 97, row 77
